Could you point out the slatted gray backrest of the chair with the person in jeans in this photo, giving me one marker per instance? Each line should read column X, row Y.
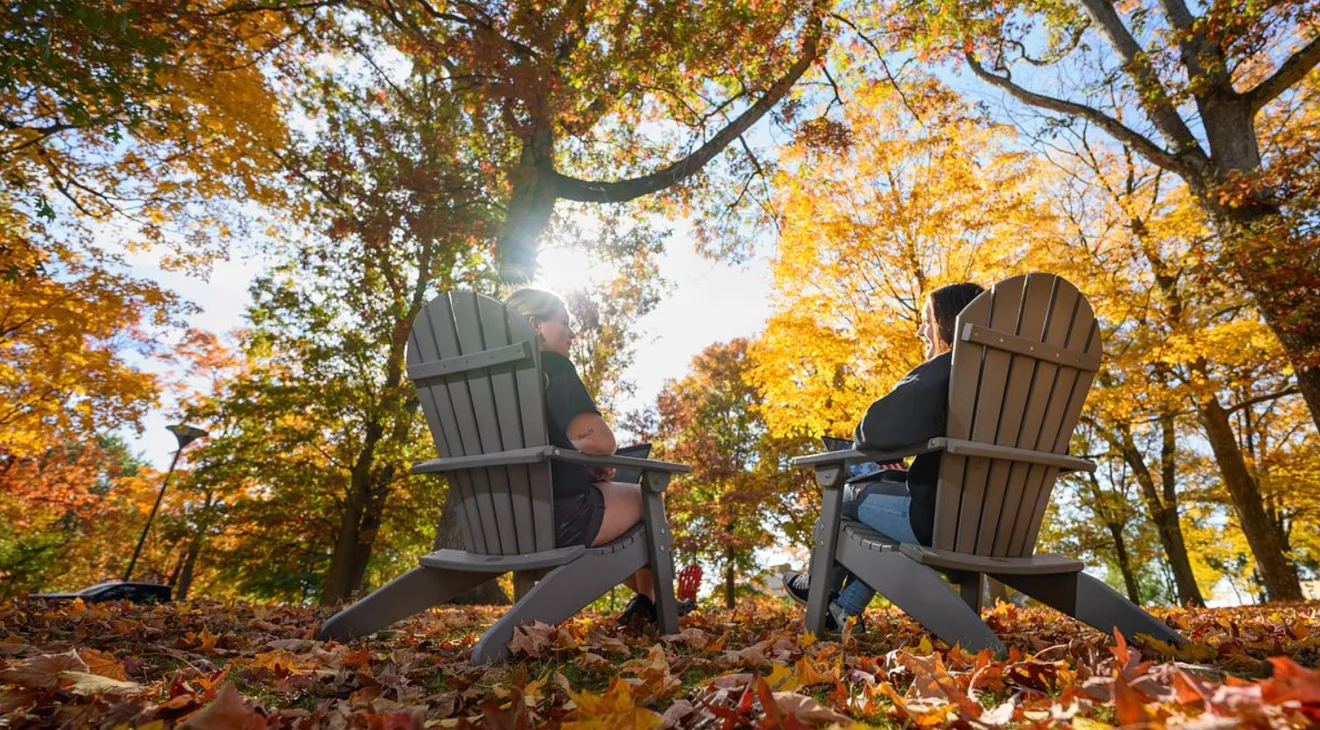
column 1013, row 397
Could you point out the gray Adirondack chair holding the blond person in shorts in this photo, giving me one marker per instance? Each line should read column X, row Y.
column 477, row 372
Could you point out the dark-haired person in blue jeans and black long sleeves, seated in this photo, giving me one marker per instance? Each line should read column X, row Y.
column 901, row 505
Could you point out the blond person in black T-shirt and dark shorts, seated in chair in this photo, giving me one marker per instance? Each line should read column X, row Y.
column 589, row 508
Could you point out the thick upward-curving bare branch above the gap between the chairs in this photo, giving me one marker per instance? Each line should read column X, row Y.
column 614, row 192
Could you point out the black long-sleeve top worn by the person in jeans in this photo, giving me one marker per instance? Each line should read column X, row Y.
column 915, row 411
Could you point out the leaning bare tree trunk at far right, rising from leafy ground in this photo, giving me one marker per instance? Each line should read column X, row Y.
column 1277, row 572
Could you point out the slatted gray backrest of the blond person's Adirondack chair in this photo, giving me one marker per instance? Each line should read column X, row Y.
column 492, row 409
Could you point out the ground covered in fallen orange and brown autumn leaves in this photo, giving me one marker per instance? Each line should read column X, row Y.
column 211, row 666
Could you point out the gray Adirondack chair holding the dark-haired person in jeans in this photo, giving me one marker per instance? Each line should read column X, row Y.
column 1025, row 357
